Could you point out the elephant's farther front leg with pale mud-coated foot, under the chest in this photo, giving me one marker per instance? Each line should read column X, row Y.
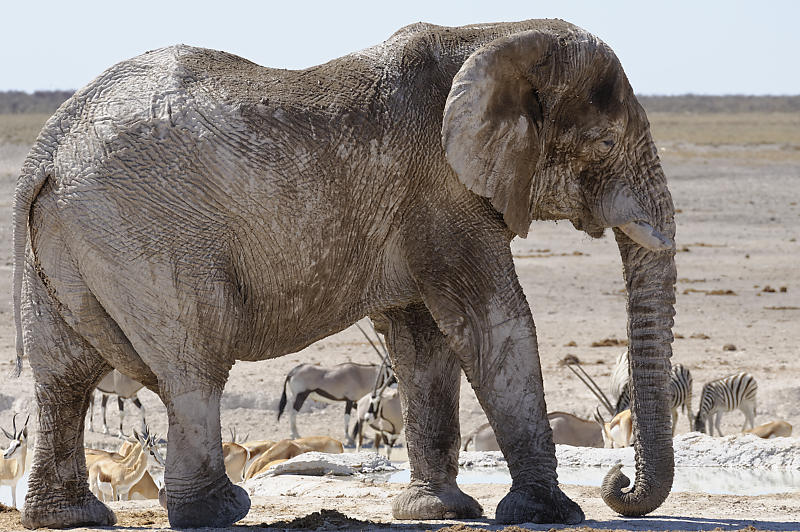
column 429, row 376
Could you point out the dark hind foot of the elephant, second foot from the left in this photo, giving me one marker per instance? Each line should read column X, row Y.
column 218, row 507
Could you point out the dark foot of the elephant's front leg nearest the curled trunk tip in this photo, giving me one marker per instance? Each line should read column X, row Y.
column 536, row 505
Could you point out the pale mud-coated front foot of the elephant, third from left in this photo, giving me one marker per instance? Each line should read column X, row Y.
column 421, row 500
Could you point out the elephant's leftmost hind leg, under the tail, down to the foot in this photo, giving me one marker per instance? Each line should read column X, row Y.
column 66, row 369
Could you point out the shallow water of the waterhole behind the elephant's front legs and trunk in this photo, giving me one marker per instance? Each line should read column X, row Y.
column 712, row 480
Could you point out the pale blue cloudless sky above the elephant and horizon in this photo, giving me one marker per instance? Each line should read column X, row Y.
column 666, row 47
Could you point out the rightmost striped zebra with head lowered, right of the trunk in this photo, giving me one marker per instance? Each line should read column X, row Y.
column 723, row 395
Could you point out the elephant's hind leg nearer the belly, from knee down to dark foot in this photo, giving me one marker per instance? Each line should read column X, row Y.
column 198, row 492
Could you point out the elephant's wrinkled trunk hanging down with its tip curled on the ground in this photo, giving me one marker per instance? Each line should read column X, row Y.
column 650, row 278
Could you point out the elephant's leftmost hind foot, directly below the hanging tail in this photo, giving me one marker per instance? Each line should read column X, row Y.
column 40, row 512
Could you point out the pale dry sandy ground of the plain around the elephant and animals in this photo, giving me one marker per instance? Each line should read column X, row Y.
column 738, row 219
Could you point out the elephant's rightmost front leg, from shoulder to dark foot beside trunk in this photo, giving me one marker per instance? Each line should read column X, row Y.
column 472, row 291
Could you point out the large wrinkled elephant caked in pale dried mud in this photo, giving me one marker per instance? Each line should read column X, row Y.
column 189, row 208
